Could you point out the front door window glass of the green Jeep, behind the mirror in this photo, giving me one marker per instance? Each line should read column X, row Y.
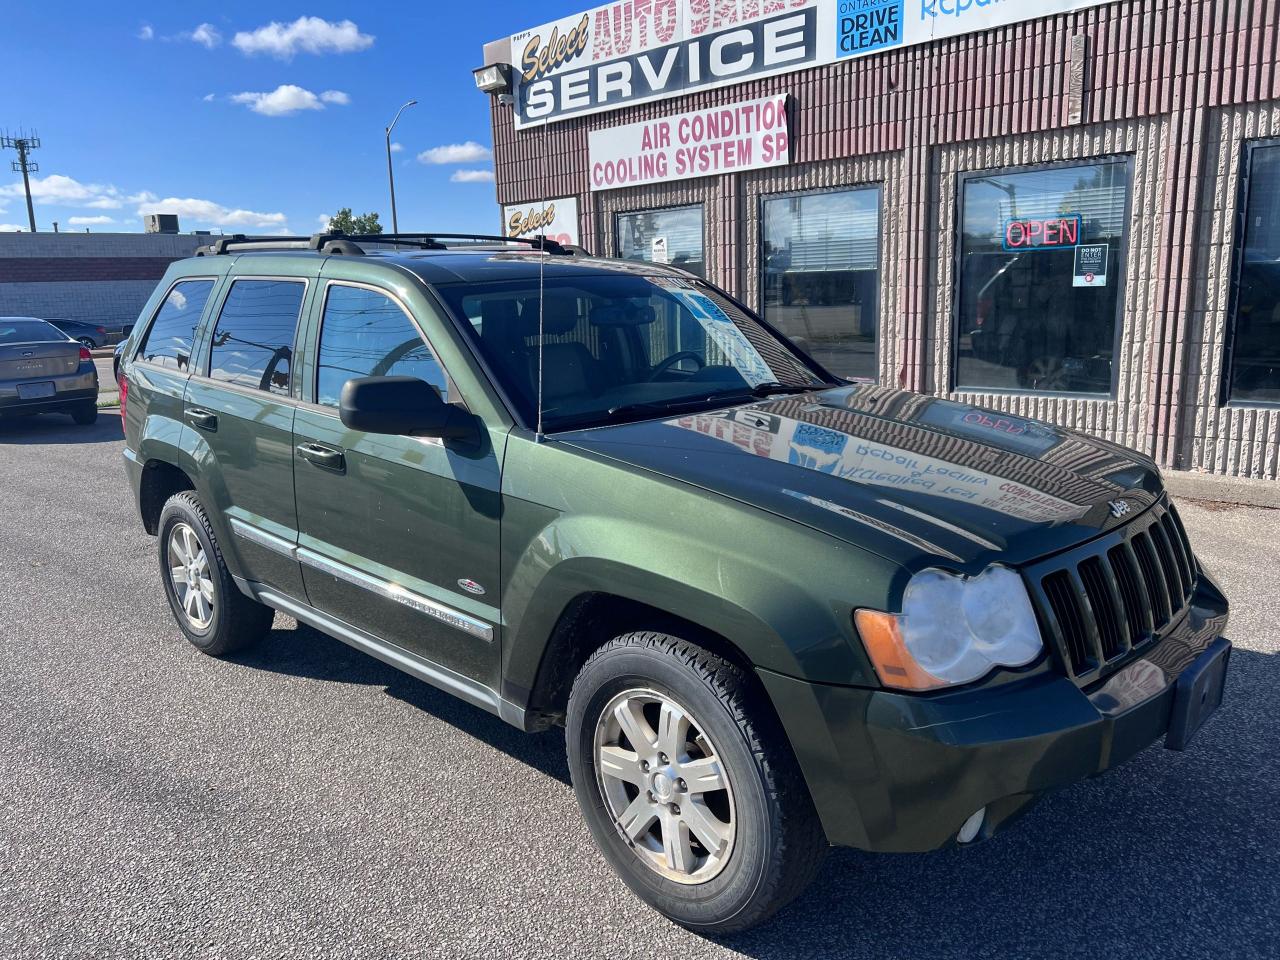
column 365, row 333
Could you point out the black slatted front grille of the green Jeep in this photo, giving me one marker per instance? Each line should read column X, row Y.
column 1118, row 593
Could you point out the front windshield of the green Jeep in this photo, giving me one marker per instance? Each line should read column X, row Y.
column 623, row 348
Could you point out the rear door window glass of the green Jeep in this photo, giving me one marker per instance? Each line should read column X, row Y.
column 254, row 340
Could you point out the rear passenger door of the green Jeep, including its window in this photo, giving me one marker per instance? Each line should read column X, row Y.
column 240, row 405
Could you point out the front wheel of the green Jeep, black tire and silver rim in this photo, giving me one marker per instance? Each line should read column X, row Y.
column 689, row 785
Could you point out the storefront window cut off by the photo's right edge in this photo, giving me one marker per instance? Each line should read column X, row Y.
column 1255, row 376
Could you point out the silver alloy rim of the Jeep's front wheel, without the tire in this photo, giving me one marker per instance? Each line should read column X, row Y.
column 665, row 787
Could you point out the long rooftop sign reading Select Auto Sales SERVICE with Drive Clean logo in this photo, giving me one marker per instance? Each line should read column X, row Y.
column 634, row 52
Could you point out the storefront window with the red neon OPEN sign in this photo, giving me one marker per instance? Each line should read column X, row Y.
column 1041, row 267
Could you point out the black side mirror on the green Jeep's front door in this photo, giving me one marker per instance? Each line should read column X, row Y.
column 403, row 406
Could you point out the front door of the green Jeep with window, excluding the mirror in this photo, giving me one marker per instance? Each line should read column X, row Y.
column 399, row 536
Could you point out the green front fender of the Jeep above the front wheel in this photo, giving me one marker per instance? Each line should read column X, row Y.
column 780, row 592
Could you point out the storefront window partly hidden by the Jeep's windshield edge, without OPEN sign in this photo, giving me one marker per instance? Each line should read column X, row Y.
column 821, row 259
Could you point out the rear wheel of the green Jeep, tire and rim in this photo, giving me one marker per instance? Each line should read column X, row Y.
column 211, row 610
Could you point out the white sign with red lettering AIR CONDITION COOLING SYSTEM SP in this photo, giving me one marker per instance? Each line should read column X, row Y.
column 698, row 144
